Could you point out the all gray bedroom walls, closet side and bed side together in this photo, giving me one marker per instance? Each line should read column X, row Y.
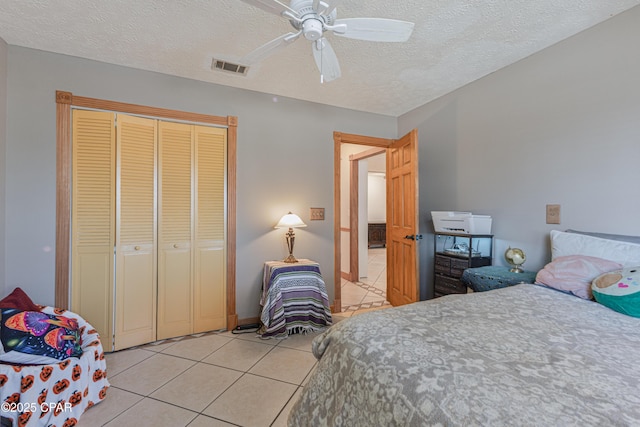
column 558, row 127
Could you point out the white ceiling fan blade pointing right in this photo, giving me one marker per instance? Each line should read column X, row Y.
column 373, row 29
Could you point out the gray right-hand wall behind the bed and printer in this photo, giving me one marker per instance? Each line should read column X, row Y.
column 561, row 126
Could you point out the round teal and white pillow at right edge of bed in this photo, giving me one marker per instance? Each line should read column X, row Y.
column 619, row 290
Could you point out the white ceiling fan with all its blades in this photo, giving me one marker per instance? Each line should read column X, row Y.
column 312, row 18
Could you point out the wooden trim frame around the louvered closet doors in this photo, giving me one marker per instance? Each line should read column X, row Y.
column 64, row 102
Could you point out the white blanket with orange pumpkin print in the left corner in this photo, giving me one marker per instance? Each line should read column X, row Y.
column 54, row 393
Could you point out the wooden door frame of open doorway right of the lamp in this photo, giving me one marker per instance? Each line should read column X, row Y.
column 340, row 138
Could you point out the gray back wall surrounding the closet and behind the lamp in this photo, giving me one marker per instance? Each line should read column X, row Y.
column 285, row 162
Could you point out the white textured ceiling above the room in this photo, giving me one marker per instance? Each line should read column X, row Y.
column 454, row 42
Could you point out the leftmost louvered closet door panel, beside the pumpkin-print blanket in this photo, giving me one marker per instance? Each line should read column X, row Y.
column 92, row 221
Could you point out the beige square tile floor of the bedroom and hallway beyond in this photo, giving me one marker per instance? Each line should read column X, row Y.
column 220, row 378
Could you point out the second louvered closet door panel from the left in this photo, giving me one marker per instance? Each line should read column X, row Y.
column 136, row 235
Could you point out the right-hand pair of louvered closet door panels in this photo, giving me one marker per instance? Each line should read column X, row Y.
column 191, row 229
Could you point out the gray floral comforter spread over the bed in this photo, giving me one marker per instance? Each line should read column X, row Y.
column 518, row 356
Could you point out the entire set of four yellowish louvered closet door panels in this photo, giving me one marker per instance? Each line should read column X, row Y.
column 156, row 189
